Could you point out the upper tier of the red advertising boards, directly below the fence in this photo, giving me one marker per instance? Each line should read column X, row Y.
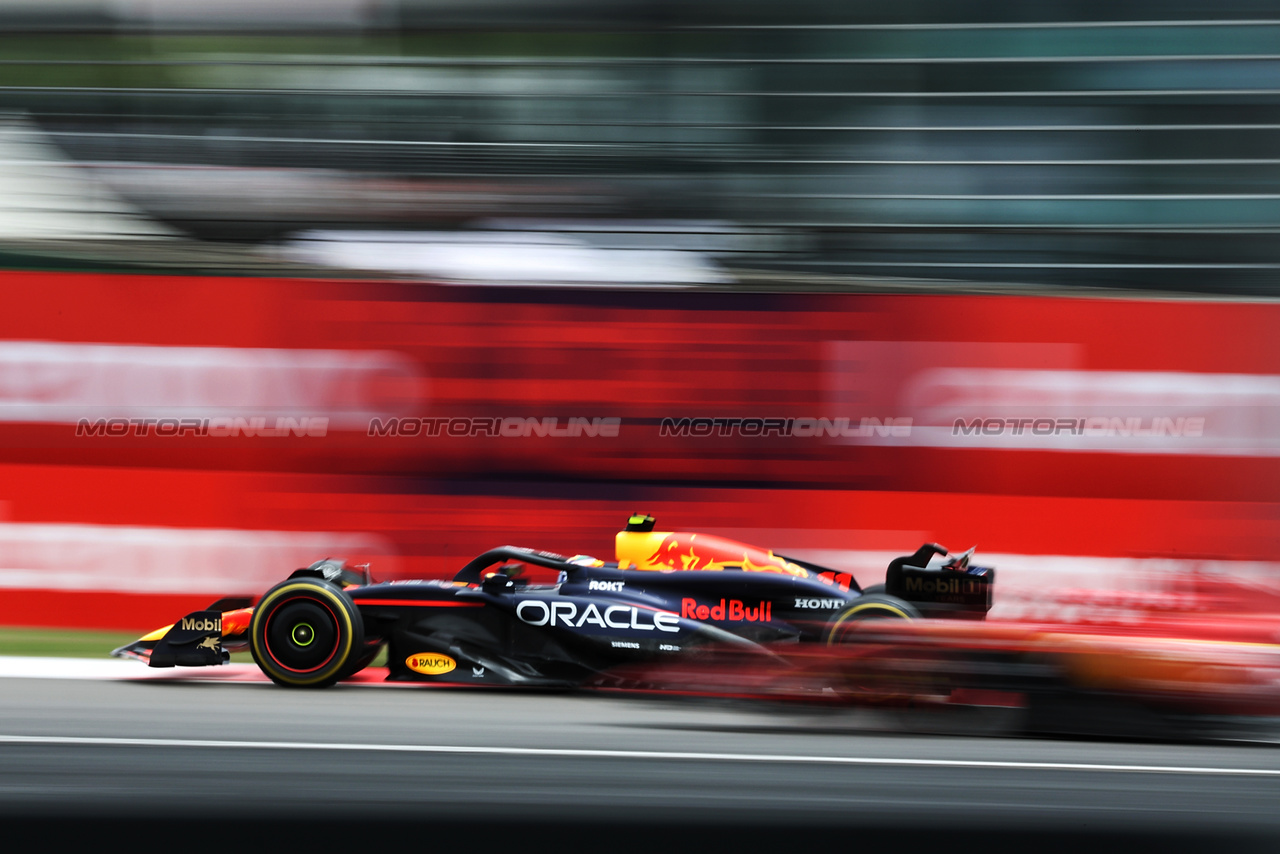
column 1104, row 398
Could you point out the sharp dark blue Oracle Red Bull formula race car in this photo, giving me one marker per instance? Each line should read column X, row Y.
column 668, row 595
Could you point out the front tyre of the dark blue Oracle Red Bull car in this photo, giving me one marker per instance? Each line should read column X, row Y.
column 307, row 633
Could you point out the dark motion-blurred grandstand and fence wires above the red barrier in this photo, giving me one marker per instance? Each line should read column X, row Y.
column 1132, row 145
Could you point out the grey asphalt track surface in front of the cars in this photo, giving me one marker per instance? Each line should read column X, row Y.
column 493, row 769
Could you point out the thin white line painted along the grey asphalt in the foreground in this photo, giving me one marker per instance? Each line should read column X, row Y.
column 630, row 755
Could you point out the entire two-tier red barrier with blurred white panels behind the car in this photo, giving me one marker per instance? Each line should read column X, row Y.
column 72, row 346
